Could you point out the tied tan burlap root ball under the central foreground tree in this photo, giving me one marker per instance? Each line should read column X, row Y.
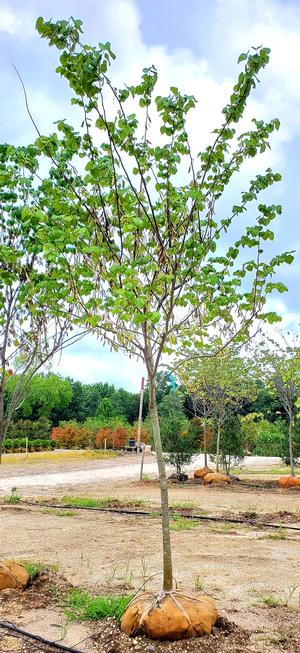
column 169, row 615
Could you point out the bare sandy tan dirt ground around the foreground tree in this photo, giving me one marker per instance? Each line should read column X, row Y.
column 239, row 565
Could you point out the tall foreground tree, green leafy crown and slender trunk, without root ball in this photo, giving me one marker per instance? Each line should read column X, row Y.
column 137, row 249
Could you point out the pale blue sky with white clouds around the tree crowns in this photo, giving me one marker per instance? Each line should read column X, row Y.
column 194, row 45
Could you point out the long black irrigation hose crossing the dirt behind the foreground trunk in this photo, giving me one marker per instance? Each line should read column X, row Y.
column 147, row 513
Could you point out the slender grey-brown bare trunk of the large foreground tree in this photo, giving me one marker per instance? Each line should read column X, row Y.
column 167, row 554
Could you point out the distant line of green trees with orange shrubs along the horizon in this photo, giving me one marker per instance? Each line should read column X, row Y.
column 77, row 414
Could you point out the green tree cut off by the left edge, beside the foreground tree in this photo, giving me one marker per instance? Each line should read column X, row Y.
column 32, row 327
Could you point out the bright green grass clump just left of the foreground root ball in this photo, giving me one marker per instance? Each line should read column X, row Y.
column 83, row 607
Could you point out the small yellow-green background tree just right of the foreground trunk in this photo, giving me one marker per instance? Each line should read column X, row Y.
column 220, row 385
